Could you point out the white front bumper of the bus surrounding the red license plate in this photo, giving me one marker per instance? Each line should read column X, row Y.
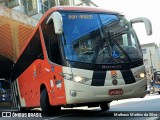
column 80, row 93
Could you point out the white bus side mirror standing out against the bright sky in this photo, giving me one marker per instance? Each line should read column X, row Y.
column 146, row 22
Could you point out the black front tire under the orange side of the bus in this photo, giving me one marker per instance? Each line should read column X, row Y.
column 45, row 105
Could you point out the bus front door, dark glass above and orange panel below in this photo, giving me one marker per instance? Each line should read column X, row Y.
column 53, row 57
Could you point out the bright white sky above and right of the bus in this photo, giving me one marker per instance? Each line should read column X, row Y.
column 137, row 8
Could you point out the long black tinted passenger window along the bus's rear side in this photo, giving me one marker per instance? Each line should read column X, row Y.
column 32, row 52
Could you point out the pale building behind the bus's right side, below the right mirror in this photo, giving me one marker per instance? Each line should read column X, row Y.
column 150, row 57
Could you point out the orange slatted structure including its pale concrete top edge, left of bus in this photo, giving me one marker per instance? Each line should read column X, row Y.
column 15, row 29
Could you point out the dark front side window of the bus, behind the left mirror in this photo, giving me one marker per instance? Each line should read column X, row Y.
column 51, row 43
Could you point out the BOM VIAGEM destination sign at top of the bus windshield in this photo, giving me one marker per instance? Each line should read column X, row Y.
column 80, row 17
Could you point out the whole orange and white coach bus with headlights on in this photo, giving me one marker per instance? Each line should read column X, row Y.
column 79, row 56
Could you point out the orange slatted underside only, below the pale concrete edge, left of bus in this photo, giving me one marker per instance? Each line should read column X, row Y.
column 13, row 36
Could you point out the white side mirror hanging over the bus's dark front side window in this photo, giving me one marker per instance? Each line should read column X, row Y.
column 56, row 18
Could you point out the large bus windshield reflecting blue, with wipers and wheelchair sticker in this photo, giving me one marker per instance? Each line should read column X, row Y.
column 99, row 38
